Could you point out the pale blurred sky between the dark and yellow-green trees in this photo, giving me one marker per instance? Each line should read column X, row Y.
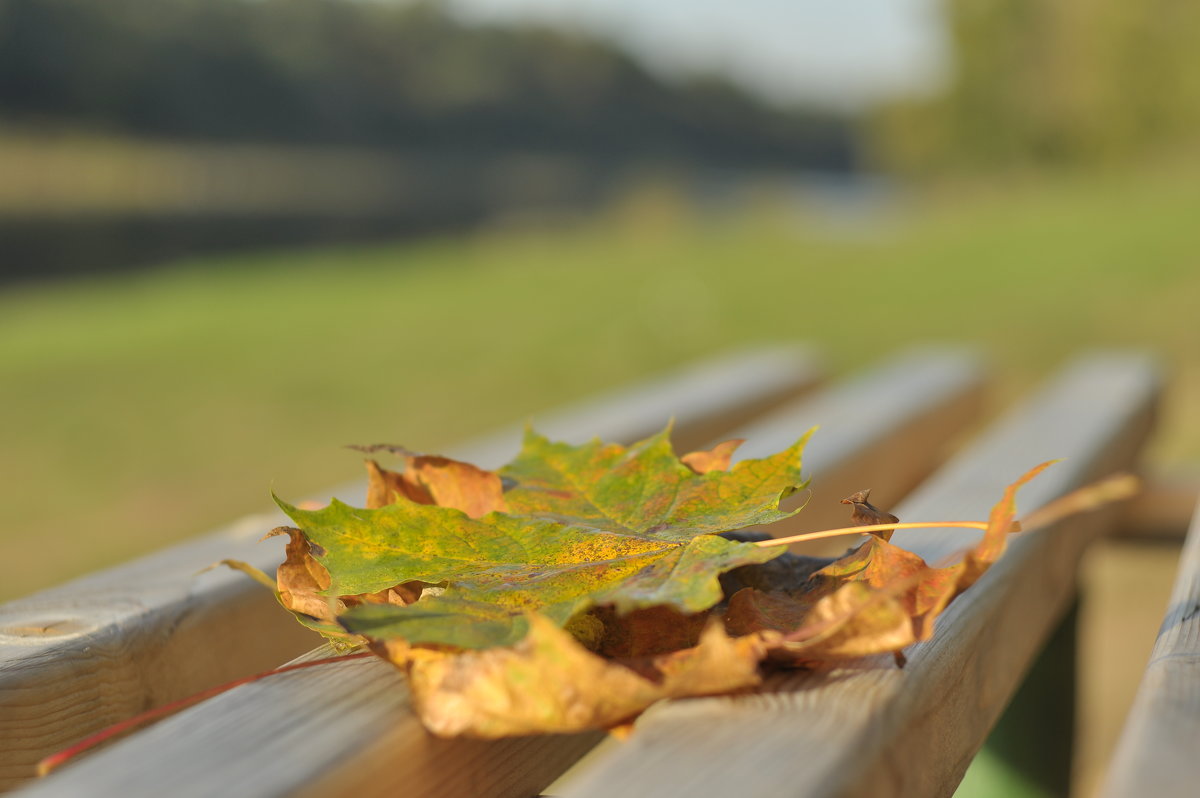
column 836, row 53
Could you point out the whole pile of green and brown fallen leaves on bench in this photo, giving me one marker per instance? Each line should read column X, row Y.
column 581, row 584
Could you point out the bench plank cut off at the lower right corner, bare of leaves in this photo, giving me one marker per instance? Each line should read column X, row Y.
column 1160, row 749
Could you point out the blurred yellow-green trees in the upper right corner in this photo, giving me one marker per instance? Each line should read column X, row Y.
column 1063, row 83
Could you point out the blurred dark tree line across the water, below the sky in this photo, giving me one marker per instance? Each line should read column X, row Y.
column 393, row 76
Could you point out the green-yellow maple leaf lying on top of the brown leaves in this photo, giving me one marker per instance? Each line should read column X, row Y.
column 585, row 526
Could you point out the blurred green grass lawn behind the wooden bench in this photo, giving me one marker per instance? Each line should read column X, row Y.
column 143, row 409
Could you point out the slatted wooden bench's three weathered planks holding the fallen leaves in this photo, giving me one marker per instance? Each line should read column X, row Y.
column 89, row 653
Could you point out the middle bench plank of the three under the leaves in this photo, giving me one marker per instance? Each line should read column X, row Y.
column 349, row 731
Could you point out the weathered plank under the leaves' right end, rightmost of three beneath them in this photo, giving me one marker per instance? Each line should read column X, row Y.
column 879, row 731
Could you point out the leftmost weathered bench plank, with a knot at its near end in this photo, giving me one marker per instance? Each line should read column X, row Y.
column 82, row 657
